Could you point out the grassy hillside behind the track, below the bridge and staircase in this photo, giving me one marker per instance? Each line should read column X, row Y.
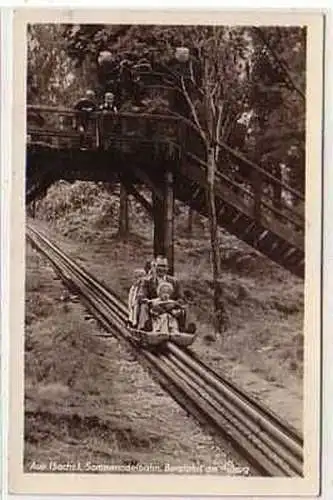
column 263, row 301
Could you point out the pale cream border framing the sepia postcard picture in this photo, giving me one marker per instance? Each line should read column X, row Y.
column 166, row 484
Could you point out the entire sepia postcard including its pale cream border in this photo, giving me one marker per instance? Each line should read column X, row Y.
column 169, row 289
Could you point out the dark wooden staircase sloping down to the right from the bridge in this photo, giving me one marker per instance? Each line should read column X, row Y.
column 281, row 241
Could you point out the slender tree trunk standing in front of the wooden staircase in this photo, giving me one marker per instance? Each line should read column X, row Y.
column 219, row 309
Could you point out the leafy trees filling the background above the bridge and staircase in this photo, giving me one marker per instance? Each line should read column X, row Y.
column 249, row 70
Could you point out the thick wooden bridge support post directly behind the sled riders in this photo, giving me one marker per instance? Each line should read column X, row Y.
column 163, row 212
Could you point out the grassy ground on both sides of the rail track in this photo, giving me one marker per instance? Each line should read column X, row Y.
column 79, row 406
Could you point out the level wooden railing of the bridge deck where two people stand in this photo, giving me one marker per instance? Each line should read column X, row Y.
column 60, row 127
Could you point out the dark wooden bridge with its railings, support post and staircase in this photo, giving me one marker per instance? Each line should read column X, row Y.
column 165, row 154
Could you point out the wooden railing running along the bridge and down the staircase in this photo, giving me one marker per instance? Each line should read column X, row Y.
column 267, row 195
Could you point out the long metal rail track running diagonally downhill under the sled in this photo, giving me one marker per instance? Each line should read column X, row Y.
column 267, row 442
